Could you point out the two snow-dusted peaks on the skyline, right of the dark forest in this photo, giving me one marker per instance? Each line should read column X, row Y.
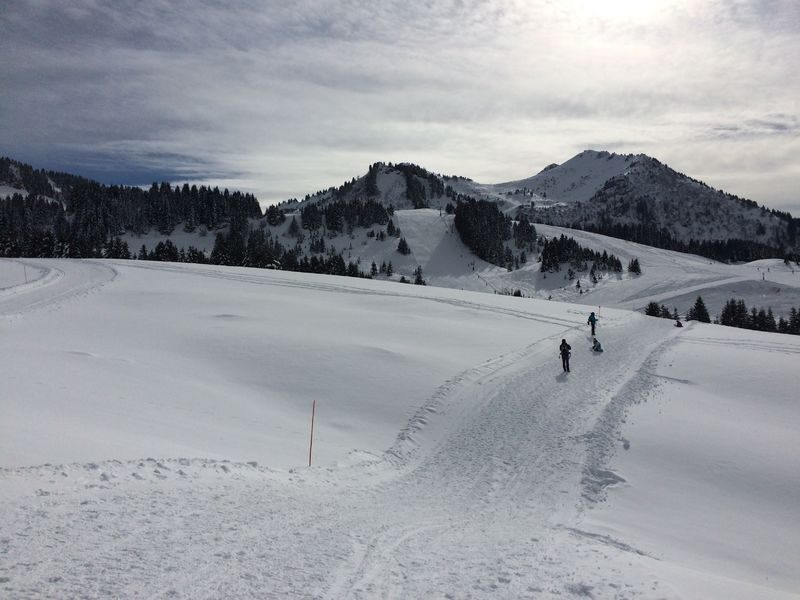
column 631, row 196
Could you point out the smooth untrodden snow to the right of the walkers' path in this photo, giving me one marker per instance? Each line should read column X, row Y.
column 711, row 474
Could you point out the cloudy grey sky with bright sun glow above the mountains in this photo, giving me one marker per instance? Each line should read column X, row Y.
column 285, row 98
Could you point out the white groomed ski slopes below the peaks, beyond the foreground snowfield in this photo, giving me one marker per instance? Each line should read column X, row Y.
column 671, row 278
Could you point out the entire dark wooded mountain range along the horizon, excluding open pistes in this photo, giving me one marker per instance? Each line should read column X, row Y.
column 633, row 197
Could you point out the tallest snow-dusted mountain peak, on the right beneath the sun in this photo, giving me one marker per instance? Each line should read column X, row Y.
column 636, row 197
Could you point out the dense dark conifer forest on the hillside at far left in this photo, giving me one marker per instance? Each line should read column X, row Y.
column 74, row 217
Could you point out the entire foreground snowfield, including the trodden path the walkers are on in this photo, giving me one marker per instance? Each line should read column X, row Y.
column 157, row 425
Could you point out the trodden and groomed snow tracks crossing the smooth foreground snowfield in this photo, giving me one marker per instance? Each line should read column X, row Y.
column 507, row 455
